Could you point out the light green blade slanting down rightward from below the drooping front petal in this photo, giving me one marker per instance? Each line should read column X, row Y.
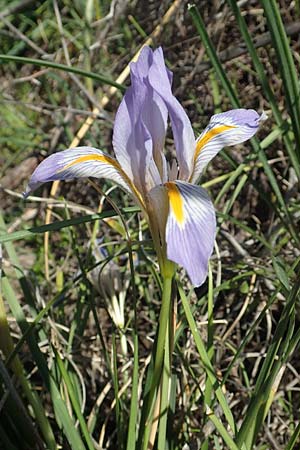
column 206, row 361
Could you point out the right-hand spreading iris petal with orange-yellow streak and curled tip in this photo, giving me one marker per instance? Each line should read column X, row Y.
column 224, row 129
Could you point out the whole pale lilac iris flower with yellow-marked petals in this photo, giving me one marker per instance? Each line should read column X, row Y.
column 180, row 213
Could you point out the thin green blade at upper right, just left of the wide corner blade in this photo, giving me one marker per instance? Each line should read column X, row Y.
column 265, row 85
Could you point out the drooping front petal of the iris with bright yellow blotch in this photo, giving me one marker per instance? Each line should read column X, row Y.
column 191, row 229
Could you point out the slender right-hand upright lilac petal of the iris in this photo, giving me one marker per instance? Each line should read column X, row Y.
column 184, row 138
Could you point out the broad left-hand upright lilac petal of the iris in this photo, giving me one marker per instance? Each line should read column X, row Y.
column 140, row 127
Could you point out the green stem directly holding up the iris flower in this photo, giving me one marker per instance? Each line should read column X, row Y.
column 167, row 272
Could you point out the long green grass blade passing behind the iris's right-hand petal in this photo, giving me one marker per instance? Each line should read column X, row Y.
column 228, row 88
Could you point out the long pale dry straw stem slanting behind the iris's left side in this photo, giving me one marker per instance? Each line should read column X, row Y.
column 96, row 110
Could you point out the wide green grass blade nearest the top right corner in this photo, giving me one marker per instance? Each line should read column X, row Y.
column 286, row 64
